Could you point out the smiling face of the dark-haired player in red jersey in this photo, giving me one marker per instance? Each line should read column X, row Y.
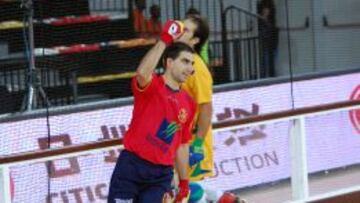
column 182, row 67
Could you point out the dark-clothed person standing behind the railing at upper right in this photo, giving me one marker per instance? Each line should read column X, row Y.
column 269, row 34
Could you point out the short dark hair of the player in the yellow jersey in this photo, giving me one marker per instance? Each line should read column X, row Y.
column 202, row 30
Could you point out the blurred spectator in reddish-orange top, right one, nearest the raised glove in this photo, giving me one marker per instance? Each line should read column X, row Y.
column 153, row 24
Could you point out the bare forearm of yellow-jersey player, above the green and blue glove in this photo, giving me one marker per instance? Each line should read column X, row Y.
column 204, row 119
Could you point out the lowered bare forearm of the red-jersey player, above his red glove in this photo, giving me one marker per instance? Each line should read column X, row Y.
column 182, row 161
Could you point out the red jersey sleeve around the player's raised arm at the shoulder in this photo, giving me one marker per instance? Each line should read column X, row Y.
column 145, row 91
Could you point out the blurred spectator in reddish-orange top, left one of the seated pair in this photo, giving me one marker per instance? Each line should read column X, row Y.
column 138, row 17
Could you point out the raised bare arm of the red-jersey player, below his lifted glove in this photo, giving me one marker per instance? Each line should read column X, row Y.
column 149, row 63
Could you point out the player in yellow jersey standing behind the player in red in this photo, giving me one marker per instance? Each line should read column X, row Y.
column 199, row 86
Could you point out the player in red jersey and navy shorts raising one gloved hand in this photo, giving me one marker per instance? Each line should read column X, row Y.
column 160, row 129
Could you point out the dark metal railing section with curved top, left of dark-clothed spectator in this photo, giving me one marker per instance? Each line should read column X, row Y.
column 242, row 46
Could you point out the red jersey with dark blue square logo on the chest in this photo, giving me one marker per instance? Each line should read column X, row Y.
column 161, row 121
